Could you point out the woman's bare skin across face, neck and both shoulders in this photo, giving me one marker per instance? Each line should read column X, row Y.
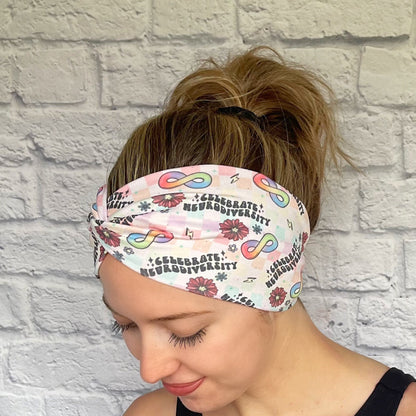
column 295, row 370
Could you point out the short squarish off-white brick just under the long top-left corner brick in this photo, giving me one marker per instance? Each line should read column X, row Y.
column 36, row 69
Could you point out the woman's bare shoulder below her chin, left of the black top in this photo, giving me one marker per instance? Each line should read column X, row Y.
column 158, row 402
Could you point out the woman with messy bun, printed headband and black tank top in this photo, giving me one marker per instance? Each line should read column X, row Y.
column 205, row 216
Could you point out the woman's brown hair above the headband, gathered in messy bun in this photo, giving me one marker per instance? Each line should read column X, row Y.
column 291, row 146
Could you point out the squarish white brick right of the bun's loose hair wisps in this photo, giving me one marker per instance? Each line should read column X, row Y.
column 375, row 139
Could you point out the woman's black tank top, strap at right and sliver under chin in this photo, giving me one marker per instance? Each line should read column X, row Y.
column 383, row 401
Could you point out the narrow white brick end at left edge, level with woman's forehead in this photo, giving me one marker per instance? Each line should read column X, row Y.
column 13, row 306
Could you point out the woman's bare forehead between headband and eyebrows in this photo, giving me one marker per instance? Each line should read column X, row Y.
column 125, row 289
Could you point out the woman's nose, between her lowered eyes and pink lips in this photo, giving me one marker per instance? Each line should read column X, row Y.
column 157, row 360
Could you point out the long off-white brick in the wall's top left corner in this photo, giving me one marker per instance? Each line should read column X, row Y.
column 74, row 20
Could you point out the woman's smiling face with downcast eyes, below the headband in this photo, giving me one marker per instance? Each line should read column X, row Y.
column 180, row 337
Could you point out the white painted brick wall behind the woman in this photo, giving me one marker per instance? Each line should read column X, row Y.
column 76, row 77
